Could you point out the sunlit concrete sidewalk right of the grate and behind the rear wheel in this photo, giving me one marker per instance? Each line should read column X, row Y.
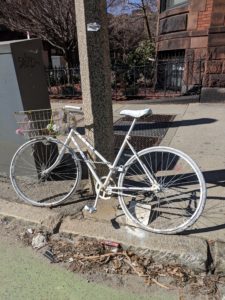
column 199, row 131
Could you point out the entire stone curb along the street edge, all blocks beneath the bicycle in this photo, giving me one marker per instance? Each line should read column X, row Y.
column 191, row 252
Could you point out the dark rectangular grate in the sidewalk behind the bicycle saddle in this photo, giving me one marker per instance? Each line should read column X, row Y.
column 148, row 131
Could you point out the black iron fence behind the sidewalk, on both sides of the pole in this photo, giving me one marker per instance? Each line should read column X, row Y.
column 154, row 80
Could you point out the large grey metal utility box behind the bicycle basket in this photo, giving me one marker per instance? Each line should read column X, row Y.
column 23, row 86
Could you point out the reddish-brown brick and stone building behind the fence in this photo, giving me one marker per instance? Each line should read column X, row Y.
column 193, row 31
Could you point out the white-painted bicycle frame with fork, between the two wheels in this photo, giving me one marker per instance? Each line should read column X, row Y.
column 73, row 134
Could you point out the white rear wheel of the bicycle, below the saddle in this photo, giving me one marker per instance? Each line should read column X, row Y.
column 175, row 200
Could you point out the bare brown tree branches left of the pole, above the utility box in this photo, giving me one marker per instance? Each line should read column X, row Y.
column 51, row 20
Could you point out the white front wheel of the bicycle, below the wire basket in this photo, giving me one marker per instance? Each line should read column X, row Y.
column 36, row 187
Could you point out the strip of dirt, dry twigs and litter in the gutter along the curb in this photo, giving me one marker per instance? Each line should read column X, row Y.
column 106, row 261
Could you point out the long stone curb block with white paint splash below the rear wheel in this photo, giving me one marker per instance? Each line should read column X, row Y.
column 189, row 252
